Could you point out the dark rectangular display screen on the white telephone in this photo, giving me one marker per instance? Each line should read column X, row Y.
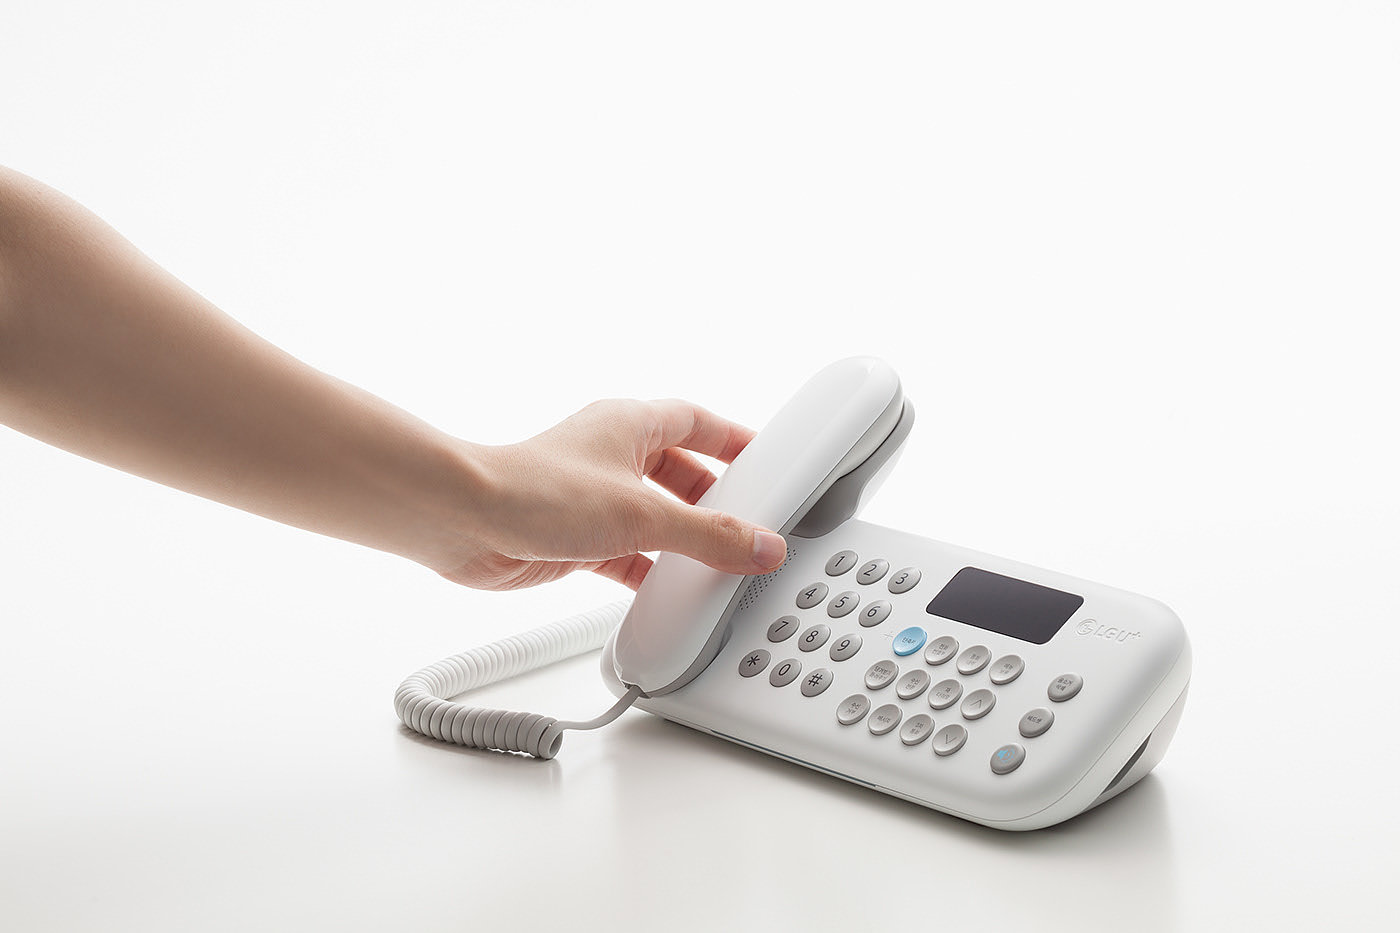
column 1025, row 611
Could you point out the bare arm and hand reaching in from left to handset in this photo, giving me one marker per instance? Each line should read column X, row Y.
column 107, row 355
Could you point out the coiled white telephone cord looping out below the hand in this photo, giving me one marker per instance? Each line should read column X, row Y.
column 425, row 700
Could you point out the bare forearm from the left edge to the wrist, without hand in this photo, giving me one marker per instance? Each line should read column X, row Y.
column 108, row 357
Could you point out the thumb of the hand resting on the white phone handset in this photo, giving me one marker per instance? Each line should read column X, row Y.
column 717, row 539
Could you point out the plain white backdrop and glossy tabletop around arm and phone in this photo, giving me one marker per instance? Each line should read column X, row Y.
column 1135, row 263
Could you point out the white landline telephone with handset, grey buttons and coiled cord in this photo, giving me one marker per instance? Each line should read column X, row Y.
column 986, row 689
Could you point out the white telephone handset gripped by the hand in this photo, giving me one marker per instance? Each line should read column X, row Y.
column 846, row 415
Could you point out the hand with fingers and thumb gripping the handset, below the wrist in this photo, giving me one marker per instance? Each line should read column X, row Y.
column 573, row 499
